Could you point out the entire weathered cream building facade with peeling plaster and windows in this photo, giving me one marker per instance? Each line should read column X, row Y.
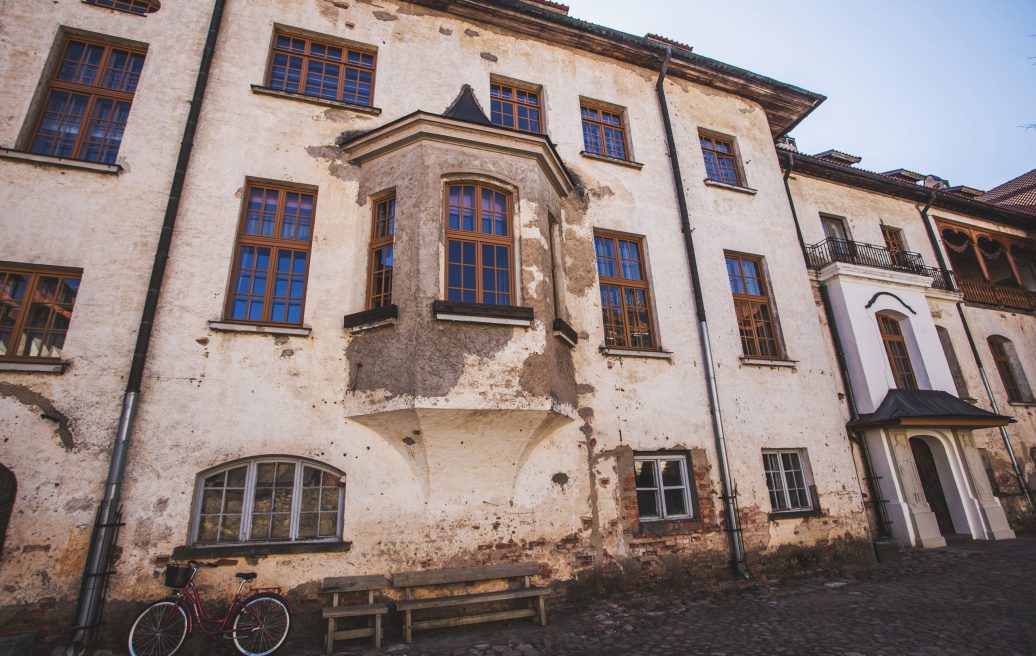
column 464, row 282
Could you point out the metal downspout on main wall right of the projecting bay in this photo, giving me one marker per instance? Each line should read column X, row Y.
column 730, row 495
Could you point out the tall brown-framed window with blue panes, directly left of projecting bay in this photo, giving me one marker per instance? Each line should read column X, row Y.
column 272, row 256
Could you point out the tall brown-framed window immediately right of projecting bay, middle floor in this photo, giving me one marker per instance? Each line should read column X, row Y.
column 625, row 293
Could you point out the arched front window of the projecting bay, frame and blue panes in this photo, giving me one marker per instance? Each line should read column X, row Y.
column 479, row 245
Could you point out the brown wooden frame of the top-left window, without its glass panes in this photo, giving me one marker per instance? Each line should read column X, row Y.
column 95, row 93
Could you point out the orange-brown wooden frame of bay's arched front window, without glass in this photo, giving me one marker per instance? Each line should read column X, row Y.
column 480, row 239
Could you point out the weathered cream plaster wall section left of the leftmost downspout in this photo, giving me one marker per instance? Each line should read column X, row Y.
column 55, row 431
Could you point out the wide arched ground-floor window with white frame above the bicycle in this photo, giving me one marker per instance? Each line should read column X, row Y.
column 273, row 500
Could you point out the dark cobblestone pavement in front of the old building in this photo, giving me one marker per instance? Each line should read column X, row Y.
column 974, row 598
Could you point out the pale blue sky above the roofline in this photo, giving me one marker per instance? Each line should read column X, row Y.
column 935, row 88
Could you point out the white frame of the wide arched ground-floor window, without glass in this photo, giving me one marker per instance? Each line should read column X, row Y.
column 249, row 501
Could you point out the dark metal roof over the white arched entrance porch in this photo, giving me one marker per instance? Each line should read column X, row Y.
column 928, row 408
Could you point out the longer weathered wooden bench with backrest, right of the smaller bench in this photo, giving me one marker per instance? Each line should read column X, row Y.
column 439, row 598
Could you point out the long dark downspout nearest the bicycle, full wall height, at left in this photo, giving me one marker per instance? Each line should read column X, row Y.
column 99, row 557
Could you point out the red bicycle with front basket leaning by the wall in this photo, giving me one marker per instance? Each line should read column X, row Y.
column 257, row 621
